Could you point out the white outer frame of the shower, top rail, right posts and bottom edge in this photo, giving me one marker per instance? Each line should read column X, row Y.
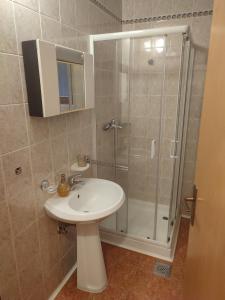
column 154, row 247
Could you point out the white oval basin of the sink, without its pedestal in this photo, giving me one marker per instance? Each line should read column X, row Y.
column 92, row 200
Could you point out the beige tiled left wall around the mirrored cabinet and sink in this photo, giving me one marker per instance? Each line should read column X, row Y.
column 33, row 257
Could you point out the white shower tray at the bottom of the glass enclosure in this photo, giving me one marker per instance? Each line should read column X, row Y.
column 140, row 230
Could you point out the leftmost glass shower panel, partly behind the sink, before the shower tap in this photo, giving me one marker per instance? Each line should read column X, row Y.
column 111, row 143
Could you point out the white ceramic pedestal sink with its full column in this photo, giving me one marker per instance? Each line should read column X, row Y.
column 92, row 201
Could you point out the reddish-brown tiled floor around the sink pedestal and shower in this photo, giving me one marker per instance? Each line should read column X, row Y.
column 130, row 275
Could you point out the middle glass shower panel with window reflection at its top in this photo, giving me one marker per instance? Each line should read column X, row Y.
column 147, row 73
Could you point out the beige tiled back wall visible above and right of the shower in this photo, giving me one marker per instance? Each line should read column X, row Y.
column 196, row 14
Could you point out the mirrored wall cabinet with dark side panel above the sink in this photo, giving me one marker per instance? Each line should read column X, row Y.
column 59, row 79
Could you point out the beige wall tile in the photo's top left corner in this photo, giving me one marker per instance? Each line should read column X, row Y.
column 7, row 33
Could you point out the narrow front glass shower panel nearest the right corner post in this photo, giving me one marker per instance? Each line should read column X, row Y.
column 170, row 140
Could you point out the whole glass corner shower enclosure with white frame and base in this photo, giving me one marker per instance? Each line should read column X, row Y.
column 143, row 83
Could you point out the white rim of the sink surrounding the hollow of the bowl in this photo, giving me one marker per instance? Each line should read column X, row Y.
column 60, row 209
